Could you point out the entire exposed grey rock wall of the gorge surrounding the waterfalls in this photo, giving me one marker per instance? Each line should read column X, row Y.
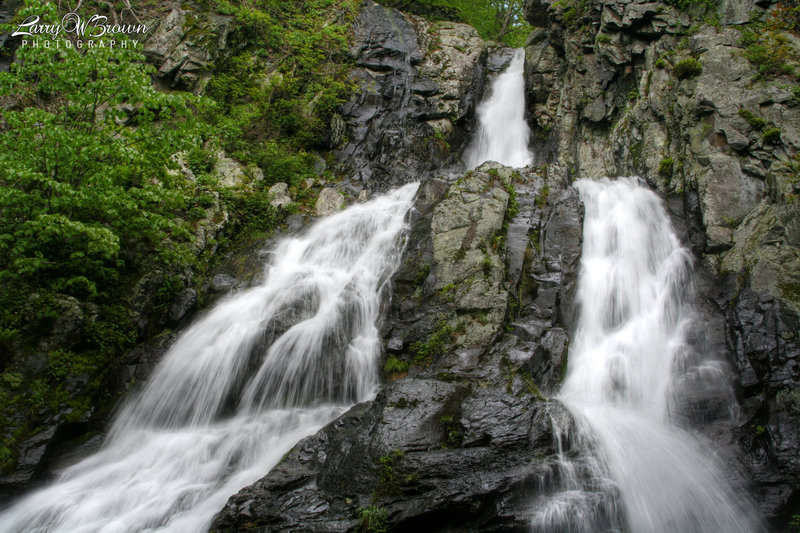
column 461, row 435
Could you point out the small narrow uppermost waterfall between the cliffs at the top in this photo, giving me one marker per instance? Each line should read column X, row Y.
column 503, row 133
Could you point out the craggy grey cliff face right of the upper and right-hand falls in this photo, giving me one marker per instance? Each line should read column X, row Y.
column 611, row 93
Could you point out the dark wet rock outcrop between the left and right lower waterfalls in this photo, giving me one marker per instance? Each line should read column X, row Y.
column 479, row 315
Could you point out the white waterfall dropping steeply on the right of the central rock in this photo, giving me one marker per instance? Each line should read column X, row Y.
column 627, row 363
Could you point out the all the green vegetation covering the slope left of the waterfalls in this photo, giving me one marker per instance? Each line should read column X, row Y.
column 108, row 182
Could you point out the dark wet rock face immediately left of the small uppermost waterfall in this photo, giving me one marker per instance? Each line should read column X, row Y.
column 420, row 82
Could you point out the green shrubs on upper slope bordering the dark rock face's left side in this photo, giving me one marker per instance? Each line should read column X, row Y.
column 283, row 83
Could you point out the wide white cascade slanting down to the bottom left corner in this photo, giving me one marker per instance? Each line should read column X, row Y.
column 262, row 370
